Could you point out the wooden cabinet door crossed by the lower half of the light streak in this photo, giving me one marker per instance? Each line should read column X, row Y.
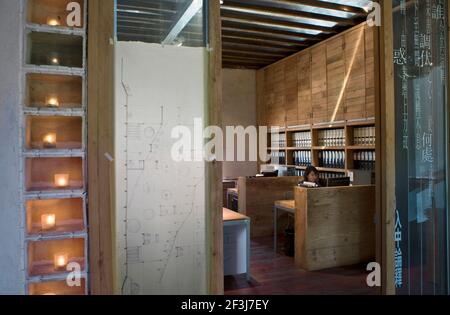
column 336, row 79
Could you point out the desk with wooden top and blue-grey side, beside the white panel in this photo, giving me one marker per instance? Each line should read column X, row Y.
column 233, row 220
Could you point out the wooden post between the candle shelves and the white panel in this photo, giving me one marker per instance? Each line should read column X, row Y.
column 100, row 142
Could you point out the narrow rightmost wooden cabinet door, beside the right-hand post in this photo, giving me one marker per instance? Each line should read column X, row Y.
column 370, row 71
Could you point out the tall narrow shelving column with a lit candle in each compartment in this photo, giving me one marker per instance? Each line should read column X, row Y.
column 53, row 137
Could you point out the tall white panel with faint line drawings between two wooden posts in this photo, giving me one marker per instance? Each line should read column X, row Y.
column 160, row 215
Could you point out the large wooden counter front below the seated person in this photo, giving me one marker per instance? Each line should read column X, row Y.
column 334, row 226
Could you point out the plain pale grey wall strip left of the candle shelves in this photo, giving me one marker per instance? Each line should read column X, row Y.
column 11, row 267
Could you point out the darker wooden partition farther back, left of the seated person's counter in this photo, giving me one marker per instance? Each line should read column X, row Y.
column 257, row 196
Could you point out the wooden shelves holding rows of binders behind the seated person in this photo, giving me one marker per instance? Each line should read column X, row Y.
column 348, row 130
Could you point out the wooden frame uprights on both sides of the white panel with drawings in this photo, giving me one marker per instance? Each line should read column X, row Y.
column 101, row 21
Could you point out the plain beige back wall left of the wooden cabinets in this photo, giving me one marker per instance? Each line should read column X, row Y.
column 239, row 109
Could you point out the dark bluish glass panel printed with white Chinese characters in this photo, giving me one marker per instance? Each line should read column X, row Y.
column 421, row 74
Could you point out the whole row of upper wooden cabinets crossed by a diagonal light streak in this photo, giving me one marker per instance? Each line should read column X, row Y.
column 335, row 81
